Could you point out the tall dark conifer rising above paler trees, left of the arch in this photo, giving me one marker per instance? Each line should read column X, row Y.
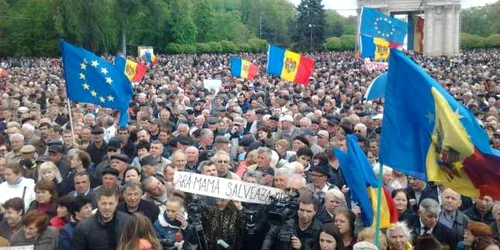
column 310, row 23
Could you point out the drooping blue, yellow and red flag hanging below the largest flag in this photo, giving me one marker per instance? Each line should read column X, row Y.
column 363, row 184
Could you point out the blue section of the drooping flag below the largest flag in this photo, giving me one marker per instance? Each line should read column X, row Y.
column 359, row 175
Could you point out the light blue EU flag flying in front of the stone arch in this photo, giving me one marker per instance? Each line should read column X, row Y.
column 377, row 24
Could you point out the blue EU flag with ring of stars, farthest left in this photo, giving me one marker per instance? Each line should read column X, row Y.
column 91, row 79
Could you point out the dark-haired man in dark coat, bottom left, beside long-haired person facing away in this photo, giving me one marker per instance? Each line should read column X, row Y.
column 102, row 230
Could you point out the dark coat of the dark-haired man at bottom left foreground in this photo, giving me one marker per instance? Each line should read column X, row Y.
column 93, row 233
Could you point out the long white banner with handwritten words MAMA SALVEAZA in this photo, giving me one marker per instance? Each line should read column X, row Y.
column 225, row 188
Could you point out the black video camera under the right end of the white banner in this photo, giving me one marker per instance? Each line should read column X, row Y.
column 283, row 209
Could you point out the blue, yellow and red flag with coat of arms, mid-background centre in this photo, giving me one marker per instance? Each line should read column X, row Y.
column 289, row 65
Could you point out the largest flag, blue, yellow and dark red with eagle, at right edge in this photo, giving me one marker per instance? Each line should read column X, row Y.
column 429, row 135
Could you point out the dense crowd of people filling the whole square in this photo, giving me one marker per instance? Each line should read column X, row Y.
column 83, row 182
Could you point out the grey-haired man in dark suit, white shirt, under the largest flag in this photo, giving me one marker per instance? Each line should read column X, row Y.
column 428, row 223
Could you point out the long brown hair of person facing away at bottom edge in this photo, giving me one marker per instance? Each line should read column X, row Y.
column 138, row 234
